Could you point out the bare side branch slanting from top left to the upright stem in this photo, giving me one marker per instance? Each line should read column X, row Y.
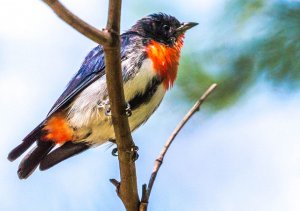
column 100, row 37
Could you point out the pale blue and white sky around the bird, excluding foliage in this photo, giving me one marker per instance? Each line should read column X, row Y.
column 243, row 158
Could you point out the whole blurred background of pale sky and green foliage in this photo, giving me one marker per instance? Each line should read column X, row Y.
column 241, row 152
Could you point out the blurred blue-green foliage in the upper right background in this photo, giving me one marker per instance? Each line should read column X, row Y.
column 260, row 44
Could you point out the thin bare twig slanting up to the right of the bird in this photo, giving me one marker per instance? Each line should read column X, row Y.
column 160, row 158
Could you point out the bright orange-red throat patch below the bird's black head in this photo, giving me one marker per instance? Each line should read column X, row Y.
column 165, row 60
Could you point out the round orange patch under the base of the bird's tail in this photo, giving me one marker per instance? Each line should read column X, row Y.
column 58, row 130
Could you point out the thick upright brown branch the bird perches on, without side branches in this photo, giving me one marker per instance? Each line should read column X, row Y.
column 128, row 186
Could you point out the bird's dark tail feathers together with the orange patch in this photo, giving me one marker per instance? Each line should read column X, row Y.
column 47, row 135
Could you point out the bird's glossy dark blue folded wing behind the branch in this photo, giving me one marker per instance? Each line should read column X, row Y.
column 91, row 70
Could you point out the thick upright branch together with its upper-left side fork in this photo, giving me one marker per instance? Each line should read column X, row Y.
column 110, row 40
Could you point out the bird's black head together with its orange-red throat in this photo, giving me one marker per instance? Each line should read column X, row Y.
column 163, row 38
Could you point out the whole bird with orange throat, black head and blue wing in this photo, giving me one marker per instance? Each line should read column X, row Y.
column 80, row 118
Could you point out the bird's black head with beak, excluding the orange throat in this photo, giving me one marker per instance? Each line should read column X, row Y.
column 162, row 28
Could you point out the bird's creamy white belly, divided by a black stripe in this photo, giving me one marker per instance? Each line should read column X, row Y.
column 90, row 121
